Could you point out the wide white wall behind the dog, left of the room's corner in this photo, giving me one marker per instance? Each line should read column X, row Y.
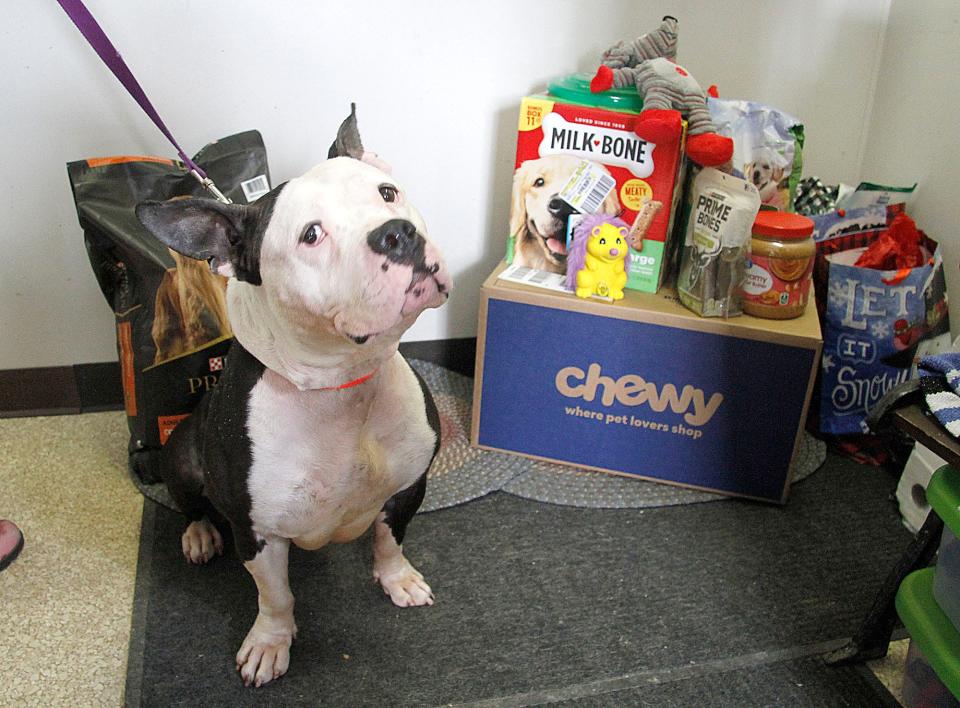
column 437, row 83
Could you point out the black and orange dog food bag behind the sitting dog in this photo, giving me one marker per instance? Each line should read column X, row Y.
column 172, row 328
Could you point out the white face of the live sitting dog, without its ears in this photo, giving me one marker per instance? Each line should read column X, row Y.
column 345, row 250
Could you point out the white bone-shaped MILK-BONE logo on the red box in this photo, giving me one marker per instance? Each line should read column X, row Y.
column 611, row 147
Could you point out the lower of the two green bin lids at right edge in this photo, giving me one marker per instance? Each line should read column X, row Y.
column 932, row 630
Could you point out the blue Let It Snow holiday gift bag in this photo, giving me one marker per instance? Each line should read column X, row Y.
column 876, row 323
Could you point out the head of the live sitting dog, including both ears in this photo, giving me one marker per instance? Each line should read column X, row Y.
column 335, row 260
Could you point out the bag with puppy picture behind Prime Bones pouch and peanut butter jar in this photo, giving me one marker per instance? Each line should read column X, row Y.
column 767, row 148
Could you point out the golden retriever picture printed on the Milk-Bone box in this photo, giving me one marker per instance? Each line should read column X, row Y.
column 538, row 216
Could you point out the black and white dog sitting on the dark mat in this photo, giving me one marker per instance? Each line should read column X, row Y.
column 318, row 428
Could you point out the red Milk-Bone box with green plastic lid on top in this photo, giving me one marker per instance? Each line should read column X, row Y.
column 575, row 158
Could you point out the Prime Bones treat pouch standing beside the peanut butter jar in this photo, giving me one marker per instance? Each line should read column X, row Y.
column 717, row 244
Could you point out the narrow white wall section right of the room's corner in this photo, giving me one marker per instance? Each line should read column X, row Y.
column 913, row 134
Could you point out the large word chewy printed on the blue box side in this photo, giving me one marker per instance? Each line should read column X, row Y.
column 633, row 390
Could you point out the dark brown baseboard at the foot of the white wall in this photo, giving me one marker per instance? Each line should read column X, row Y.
column 86, row 388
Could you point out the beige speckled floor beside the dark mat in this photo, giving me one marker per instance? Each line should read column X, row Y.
column 65, row 603
